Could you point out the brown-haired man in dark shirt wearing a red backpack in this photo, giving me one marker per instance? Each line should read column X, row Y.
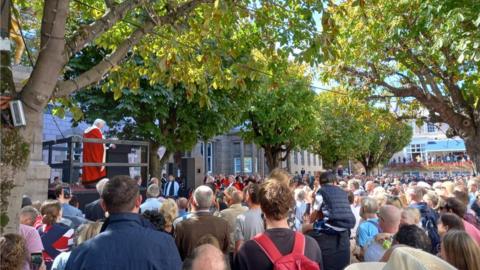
column 278, row 247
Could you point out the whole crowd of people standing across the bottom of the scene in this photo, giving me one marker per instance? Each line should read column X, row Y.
column 280, row 222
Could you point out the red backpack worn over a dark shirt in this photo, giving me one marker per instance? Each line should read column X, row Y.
column 293, row 261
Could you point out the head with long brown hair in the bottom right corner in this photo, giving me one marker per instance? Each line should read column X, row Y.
column 459, row 249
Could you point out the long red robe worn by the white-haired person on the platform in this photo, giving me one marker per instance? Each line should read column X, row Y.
column 93, row 152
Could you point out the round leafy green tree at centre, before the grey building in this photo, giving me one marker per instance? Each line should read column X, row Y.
column 281, row 117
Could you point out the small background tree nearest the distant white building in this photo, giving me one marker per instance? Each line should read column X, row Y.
column 386, row 136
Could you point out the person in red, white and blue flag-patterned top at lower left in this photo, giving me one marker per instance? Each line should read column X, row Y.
column 56, row 237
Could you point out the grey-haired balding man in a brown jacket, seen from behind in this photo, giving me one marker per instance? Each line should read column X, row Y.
column 200, row 224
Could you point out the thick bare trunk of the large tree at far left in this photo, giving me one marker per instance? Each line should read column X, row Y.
column 36, row 94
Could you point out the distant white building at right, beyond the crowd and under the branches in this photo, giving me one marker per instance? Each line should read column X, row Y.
column 431, row 154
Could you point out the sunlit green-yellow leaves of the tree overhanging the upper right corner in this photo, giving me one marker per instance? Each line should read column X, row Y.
column 411, row 38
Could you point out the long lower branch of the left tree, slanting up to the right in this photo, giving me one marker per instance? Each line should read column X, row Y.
column 95, row 74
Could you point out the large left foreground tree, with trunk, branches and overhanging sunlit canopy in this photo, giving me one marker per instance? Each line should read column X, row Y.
column 215, row 28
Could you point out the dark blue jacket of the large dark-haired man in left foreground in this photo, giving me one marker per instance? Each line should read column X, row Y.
column 127, row 241
